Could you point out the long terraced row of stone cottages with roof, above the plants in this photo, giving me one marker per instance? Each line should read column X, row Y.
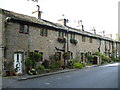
column 20, row 34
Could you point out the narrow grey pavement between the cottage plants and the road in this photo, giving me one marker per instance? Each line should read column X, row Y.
column 26, row 76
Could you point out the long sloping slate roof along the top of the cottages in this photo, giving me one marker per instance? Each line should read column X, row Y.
column 51, row 24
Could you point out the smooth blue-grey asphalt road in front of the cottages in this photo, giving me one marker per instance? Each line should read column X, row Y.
column 95, row 77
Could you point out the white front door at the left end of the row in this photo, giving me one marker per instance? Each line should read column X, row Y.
column 18, row 57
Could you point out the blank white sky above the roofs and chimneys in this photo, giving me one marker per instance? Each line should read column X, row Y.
column 100, row 14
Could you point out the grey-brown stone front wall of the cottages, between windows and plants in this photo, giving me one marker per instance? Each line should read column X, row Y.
column 20, row 42
